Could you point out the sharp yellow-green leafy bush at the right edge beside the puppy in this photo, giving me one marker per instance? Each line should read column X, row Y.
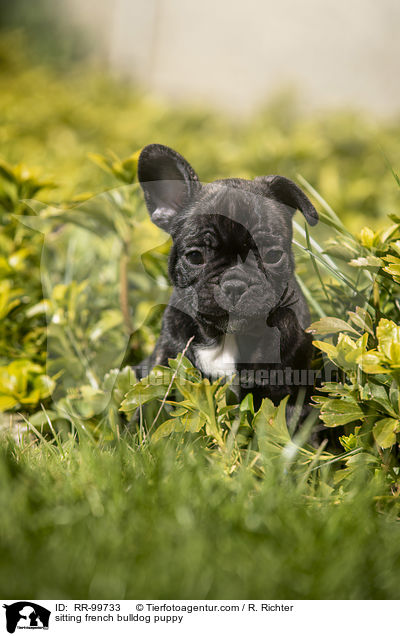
column 367, row 351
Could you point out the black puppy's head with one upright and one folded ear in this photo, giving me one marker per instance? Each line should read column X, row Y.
column 231, row 260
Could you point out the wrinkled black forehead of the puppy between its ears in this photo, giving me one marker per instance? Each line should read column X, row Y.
column 232, row 211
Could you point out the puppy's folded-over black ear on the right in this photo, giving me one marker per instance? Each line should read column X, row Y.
column 287, row 192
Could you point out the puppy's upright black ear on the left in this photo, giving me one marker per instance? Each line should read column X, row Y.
column 168, row 182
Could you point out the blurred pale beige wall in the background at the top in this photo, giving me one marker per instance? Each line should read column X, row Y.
column 234, row 54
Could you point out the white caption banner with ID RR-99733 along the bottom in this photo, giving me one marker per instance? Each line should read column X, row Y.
column 216, row 617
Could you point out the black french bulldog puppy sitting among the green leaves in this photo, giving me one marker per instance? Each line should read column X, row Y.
column 232, row 269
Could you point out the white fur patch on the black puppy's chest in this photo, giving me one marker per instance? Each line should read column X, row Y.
column 218, row 360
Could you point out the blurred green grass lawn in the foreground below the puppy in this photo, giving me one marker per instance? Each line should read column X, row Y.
column 164, row 521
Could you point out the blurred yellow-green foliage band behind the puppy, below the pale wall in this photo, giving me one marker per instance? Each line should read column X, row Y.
column 54, row 120
